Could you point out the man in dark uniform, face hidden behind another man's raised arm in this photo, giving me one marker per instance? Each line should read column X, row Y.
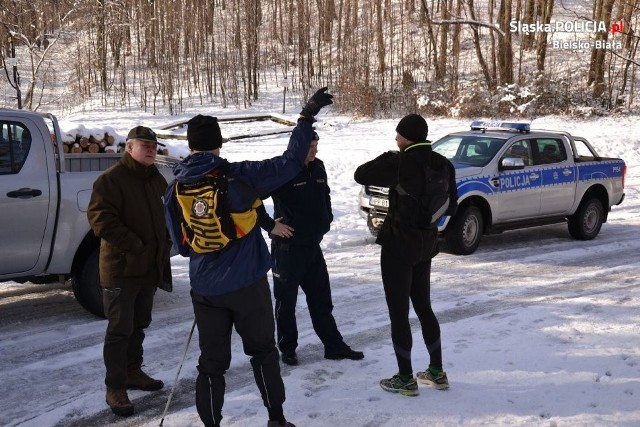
column 304, row 204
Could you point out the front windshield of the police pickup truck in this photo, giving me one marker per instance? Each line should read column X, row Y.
column 474, row 150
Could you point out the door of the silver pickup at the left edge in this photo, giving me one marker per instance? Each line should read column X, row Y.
column 24, row 196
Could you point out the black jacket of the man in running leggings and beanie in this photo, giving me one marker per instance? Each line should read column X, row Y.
column 406, row 168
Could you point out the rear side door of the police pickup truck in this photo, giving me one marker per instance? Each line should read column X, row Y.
column 559, row 176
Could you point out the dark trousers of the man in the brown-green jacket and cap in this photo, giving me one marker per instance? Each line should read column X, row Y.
column 128, row 310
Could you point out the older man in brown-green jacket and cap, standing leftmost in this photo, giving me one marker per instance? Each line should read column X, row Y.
column 126, row 212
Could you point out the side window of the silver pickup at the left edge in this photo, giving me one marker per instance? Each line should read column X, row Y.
column 15, row 142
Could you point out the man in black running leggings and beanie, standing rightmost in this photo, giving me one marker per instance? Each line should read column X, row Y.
column 422, row 188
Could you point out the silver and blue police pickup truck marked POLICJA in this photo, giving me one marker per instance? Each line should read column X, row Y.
column 509, row 176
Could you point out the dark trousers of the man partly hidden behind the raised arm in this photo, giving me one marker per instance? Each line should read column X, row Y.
column 303, row 266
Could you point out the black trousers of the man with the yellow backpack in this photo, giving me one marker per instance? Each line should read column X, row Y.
column 249, row 310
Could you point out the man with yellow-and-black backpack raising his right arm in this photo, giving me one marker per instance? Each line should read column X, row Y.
column 229, row 286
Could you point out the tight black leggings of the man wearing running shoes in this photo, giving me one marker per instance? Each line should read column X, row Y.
column 404, row 282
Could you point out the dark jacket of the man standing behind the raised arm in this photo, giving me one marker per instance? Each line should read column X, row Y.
column 304, row 204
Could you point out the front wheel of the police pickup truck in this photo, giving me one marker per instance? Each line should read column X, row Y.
column 465, row 231
